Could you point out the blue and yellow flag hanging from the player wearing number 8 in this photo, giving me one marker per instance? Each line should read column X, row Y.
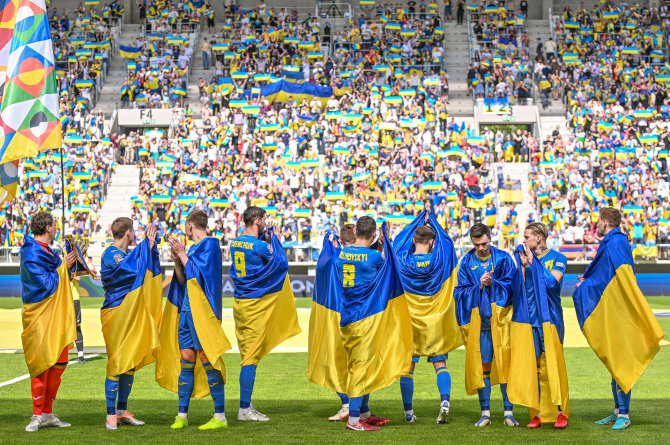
column 377, row 329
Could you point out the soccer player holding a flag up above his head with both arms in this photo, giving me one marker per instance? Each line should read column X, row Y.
column 421, row 279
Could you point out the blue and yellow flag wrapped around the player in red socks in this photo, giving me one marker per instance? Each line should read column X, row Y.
column 49, row 324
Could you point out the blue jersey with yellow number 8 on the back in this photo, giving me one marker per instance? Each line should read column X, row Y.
column 357, row 266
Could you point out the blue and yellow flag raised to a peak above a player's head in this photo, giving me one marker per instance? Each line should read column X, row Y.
column 430, row 290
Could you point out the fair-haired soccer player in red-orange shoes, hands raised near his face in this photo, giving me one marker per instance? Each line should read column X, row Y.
column 554, row 265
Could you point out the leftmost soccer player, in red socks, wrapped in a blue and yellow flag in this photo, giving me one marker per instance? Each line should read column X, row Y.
column 49, row 324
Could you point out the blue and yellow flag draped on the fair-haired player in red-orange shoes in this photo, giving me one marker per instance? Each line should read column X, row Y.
column 522, row 382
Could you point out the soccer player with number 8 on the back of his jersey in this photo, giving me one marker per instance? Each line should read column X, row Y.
column 358, row 266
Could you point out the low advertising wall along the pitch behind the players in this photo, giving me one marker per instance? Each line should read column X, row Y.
column 653, row 279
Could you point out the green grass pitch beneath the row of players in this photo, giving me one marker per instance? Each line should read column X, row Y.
column 298, row 409
